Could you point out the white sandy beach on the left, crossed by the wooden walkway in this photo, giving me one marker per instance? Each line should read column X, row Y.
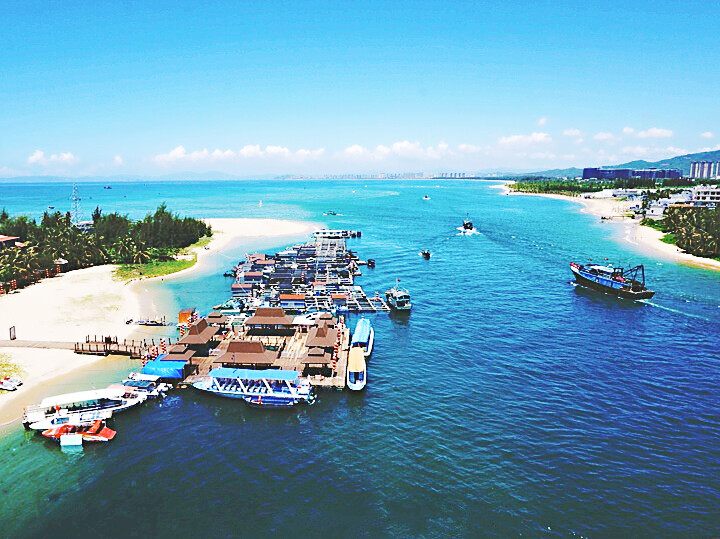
column 90, row 302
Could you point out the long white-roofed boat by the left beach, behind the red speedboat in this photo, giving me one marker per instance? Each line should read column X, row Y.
column 81, row 407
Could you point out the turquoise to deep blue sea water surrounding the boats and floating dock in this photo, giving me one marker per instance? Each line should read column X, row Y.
column 509, row 402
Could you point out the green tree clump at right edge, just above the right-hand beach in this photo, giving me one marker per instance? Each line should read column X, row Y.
column 694, row 229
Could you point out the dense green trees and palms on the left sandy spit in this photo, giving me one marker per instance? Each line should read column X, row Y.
column 56, row 244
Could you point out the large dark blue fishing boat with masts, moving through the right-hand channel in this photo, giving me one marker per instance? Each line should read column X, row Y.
column 625, row 283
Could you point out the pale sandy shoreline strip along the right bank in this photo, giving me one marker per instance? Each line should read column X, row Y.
column 645, row 238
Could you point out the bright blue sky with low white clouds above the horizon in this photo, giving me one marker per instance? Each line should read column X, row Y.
column 308, row 87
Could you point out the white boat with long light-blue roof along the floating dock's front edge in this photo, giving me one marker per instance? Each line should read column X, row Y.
column 266, row 387
